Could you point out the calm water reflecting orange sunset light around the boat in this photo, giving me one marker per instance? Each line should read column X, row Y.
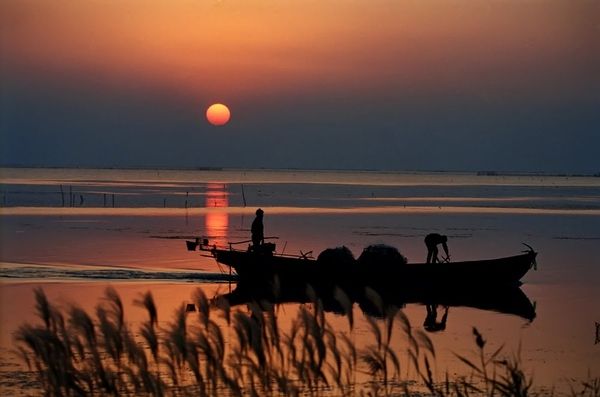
column 60, row 230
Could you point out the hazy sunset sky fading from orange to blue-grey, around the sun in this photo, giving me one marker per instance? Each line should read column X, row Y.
column 456, row 85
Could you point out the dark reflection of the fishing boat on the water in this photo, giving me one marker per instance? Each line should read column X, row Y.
column 384, row 301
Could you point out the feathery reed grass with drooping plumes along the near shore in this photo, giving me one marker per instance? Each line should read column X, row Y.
column 235, row 353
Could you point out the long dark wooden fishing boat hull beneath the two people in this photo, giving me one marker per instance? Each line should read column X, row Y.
column 266, row 266
